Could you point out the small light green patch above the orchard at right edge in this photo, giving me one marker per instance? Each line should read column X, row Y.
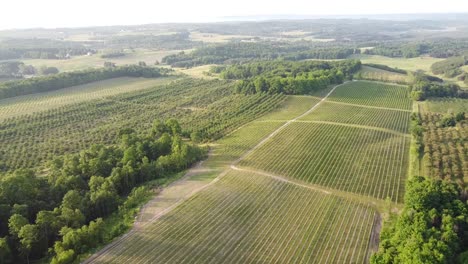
column 444, row 105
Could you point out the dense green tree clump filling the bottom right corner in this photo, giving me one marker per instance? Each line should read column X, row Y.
column 431, row 227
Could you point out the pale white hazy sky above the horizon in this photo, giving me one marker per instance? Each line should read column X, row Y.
column 67, row 13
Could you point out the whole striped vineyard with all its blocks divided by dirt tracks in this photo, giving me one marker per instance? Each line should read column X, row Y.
column 245, row 214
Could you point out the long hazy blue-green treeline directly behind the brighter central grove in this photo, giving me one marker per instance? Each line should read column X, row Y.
column 241, row 52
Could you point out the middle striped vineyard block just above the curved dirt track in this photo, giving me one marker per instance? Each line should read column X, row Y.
column 363, row 161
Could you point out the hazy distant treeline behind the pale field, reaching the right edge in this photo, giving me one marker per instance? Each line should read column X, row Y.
column 442, row 48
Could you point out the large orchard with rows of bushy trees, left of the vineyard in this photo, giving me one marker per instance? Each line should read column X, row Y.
column 208, row 107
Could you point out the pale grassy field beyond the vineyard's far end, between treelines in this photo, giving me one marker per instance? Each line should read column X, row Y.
column 411, row 64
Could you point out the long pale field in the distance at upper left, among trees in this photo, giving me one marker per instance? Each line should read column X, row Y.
column 95, row 61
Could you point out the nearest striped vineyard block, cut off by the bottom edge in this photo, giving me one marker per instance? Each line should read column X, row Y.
column 247, row 218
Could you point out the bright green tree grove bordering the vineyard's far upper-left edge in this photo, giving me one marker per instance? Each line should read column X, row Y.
column 289, row 77
